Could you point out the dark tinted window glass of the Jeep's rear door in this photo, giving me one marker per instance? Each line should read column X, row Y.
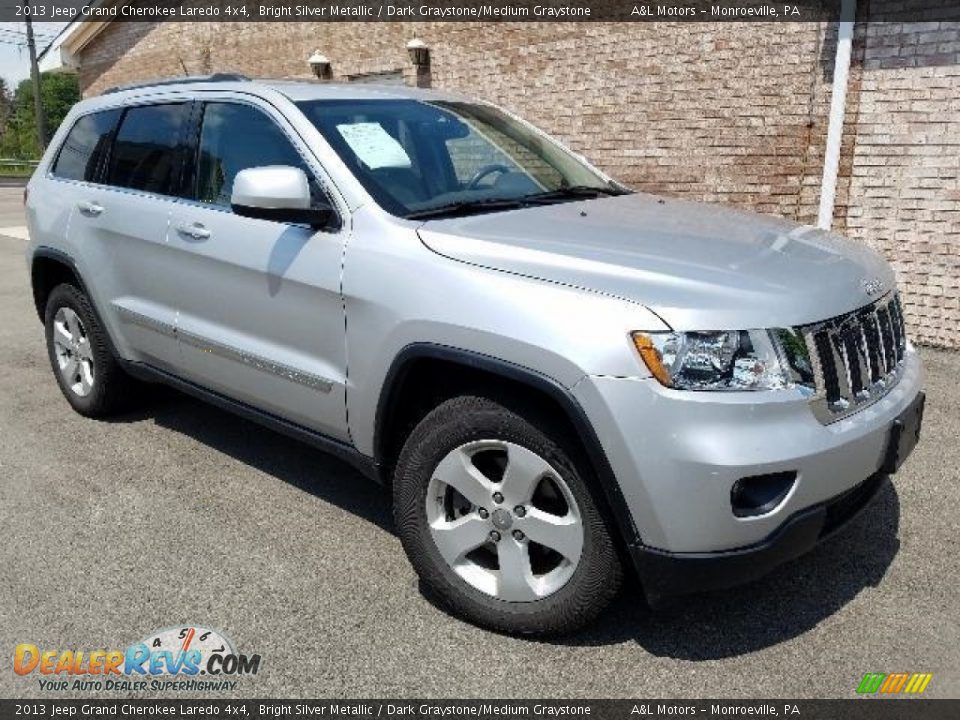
column 147, row 152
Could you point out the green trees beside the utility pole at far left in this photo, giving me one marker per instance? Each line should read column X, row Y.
column 18, row 125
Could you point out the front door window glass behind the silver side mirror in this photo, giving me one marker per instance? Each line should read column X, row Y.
column 235, row 137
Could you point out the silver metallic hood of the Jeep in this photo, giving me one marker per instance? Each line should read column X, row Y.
column 698, row 266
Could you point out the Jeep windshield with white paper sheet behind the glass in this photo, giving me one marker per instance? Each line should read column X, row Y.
column 423, row 159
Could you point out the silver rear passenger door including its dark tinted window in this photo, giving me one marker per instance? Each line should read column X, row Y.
column 121, row 224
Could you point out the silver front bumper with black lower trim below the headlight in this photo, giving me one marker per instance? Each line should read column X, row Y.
column 676, row 456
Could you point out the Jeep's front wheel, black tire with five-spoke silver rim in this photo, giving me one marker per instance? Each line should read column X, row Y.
column 442, row 508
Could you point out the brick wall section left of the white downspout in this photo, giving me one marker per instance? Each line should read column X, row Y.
column 725, row 112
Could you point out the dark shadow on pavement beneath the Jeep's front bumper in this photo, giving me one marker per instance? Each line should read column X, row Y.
column 788, row 602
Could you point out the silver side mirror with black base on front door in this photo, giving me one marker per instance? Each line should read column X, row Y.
column 278, row 193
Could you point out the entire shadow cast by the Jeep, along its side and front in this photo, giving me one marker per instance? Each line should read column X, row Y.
column 783, row 605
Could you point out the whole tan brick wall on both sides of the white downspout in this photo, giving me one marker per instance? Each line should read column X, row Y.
column 731, row 113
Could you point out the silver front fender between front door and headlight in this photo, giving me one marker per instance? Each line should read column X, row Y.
column 397, row 293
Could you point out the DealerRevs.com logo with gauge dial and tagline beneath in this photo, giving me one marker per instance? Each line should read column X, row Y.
column 178, row 651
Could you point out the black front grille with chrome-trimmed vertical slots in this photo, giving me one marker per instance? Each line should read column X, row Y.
column 856, row 358
